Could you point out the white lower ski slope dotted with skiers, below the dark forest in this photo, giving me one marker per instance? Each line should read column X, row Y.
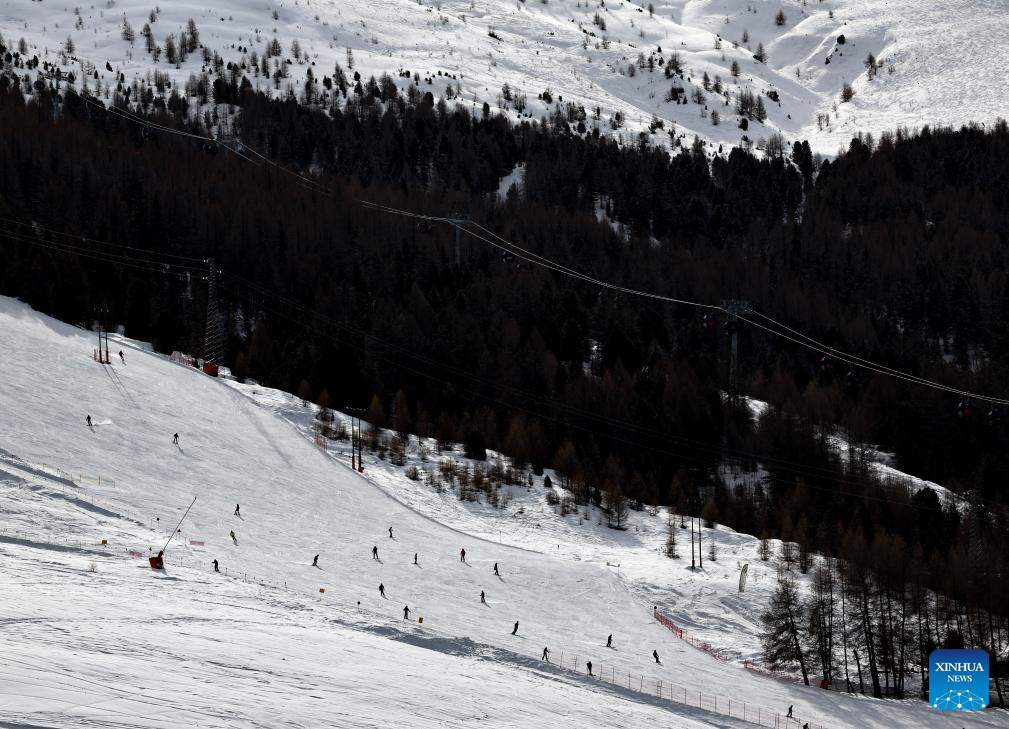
column 93, row 638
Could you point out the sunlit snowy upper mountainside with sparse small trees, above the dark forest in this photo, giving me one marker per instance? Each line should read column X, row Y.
column 939, row 63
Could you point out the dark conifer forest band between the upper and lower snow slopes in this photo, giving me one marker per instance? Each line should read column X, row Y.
column 898, row 251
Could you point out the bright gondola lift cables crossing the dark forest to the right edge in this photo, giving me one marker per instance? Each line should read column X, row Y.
column 802, row 340
